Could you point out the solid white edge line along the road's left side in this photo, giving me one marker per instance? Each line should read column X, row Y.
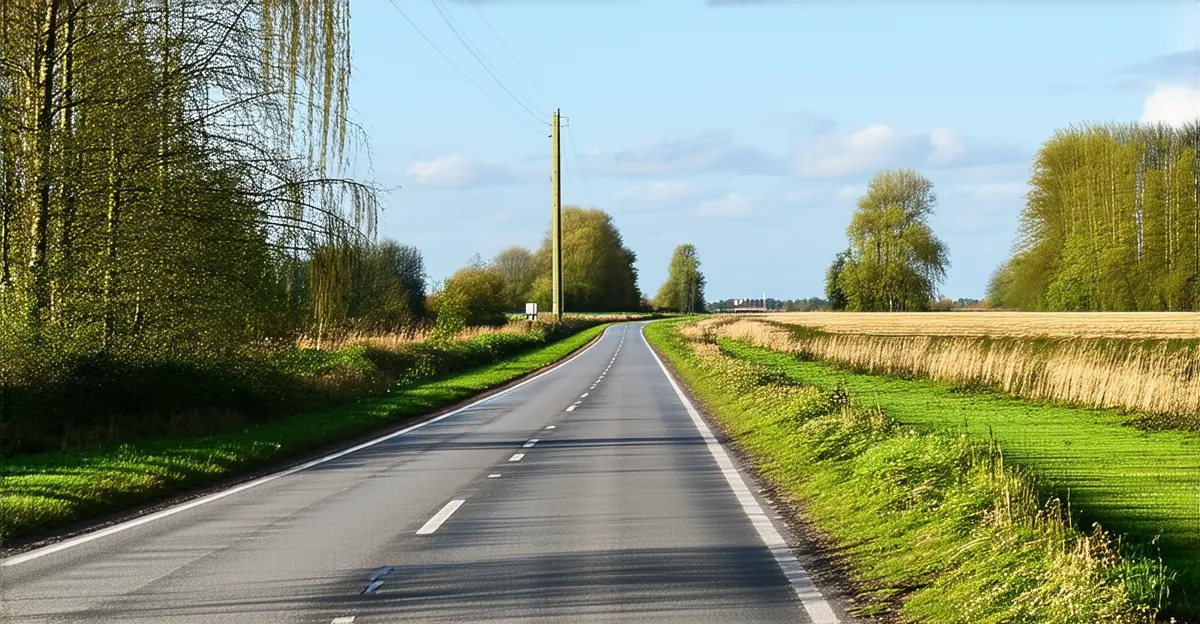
column 184, row 507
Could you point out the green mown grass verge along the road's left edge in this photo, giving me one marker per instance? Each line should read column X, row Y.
column 51, row 490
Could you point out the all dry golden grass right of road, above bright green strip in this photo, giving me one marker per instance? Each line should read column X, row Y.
column 1151, row 376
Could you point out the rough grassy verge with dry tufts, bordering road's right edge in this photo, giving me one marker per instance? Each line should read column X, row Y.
column 934, row 525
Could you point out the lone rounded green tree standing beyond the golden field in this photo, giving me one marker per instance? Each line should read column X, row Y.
column 895, row 262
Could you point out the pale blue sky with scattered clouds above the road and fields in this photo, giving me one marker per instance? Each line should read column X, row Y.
column 746, row 128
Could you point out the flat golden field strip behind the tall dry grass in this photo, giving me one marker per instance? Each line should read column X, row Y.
column 1012, row 325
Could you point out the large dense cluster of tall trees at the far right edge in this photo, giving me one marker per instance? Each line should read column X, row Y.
column 1111, row 224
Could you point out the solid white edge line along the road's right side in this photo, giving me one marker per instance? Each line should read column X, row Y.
column 815, row 604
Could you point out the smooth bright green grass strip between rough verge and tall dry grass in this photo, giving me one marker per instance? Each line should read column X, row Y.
column 1142, row 485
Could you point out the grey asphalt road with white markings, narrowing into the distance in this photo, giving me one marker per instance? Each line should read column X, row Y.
column 590, row 494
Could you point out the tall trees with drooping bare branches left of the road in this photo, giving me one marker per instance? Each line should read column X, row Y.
column 170, row 172
